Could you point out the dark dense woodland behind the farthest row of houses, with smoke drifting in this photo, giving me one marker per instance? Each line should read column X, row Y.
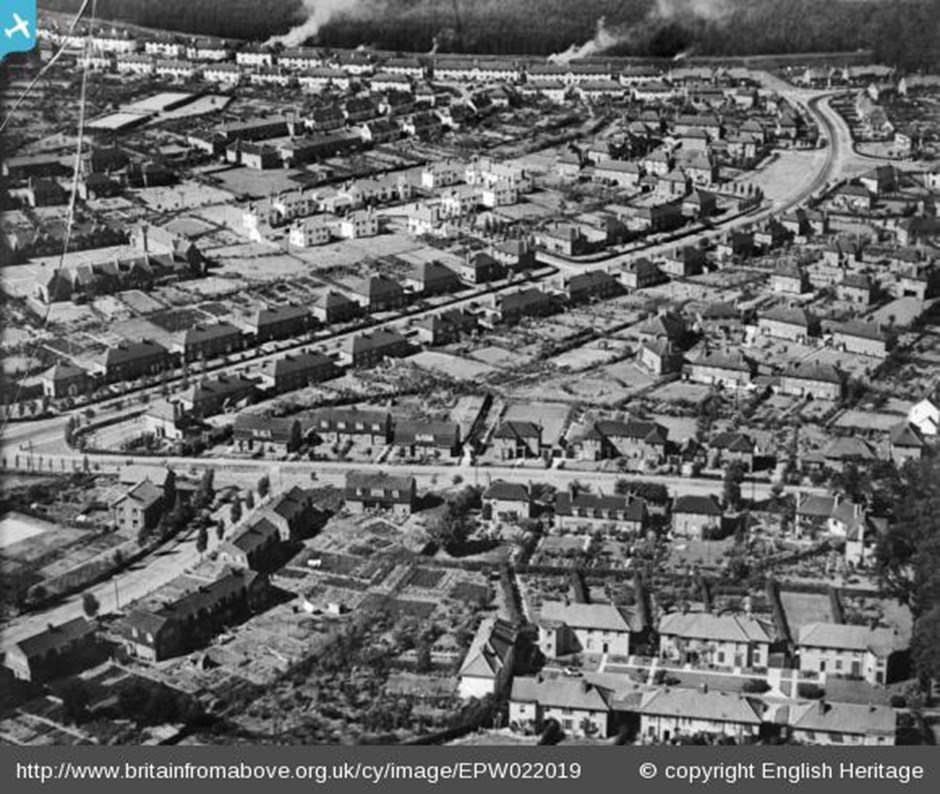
column 902, row 32
